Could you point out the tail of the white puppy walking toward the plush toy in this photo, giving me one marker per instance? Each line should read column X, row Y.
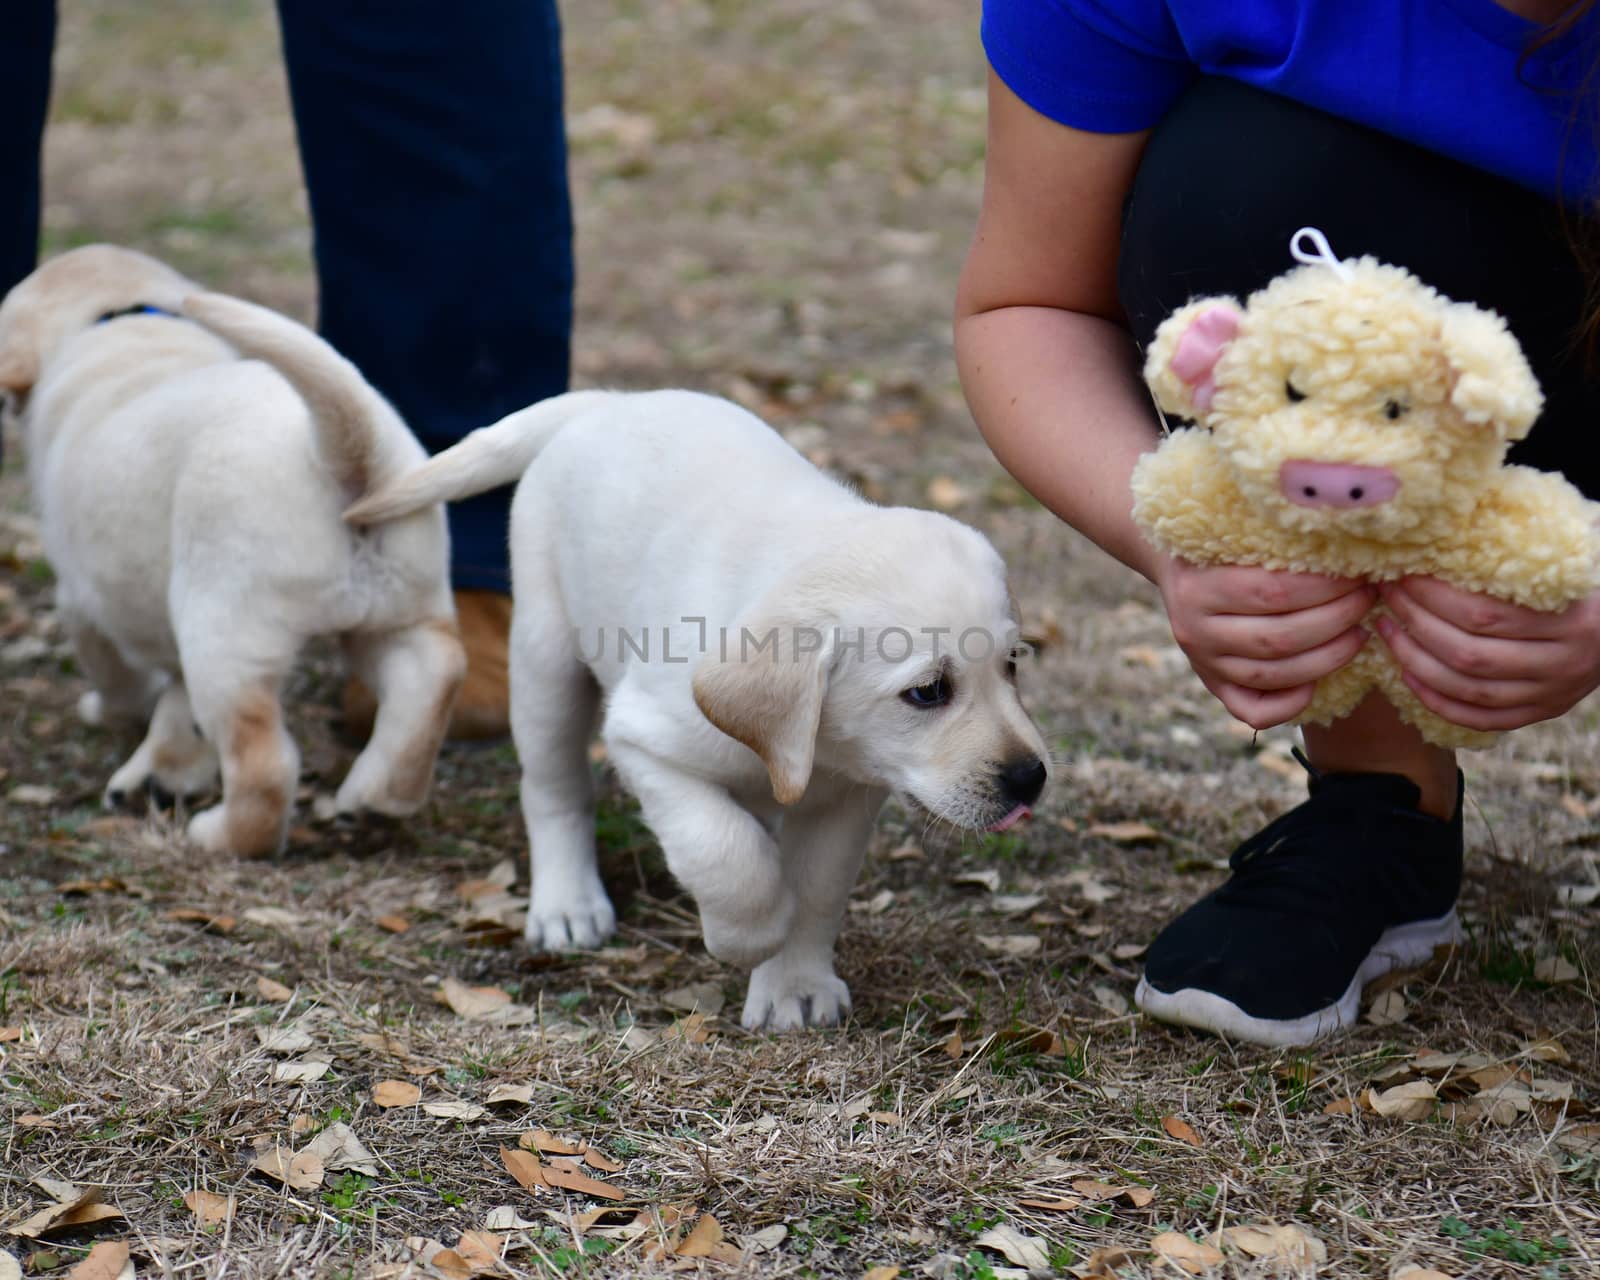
column 486, row 460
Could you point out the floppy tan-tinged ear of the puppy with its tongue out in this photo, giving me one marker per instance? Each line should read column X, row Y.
column 764, row 687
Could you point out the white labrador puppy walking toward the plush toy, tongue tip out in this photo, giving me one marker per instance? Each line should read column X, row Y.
column 775, row 655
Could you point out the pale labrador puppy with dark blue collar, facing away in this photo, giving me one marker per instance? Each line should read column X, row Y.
column 190, row 457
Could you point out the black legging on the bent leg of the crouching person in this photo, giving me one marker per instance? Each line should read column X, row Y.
column 1234, row 172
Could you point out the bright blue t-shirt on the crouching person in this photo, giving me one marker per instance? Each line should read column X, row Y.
column 1442, row 74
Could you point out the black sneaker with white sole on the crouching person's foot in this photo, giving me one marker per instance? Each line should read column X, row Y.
column 1337, row 892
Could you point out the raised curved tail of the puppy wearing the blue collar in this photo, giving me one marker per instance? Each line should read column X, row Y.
column 358, row 433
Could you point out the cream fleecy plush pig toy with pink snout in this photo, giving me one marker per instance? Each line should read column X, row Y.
column 1353, row 422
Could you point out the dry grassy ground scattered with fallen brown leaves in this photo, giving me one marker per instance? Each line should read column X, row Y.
column 774, row 201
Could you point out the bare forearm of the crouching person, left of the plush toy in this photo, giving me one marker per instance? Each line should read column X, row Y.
column 1060, row 401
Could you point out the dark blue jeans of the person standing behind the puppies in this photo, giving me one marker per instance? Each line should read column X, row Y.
column 436, row 161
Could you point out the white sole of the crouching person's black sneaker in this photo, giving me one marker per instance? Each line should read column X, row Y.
column 1399, row 948
